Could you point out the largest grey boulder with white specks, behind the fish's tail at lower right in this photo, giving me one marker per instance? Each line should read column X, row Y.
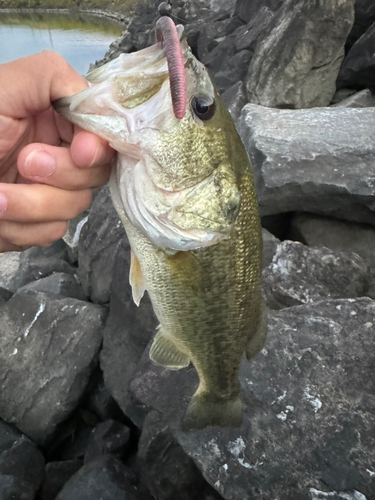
column 309, row 409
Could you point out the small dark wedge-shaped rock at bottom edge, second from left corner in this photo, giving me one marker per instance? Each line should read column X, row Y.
column 57, row 474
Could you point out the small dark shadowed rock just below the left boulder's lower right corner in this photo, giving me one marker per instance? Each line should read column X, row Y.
column 109, row 437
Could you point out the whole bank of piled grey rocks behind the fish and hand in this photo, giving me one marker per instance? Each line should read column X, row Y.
column 86, row 415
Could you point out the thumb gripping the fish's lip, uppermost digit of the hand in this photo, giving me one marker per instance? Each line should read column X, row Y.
column 28, row 85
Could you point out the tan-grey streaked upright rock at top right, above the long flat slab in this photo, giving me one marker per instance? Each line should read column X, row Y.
column 296, row 62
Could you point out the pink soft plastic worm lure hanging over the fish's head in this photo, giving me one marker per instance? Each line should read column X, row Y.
column 167, row 34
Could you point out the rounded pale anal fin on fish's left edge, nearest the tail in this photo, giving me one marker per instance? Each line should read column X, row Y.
column 164, row 352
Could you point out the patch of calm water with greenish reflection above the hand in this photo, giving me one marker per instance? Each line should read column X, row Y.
column 80, row 38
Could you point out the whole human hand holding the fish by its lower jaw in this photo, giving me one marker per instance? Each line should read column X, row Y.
column 47, row 166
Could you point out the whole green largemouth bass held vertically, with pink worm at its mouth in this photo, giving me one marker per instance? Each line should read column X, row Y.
column 184, row 190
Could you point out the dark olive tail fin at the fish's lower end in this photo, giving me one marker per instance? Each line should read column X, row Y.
column 205, row 410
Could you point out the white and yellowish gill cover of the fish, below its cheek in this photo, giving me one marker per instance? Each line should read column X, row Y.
column 183, row 220
